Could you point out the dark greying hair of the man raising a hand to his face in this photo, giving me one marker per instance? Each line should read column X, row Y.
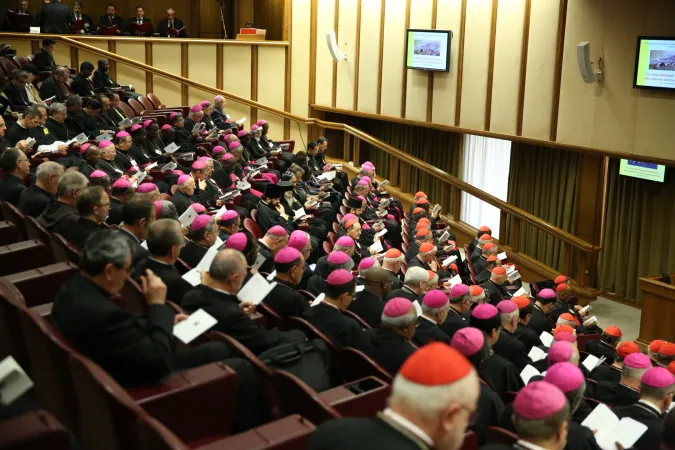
column 103, row 248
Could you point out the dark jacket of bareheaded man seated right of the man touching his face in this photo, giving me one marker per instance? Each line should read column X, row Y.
column 232, row 320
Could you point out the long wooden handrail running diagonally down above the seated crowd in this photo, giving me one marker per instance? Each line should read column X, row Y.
column 579, row 254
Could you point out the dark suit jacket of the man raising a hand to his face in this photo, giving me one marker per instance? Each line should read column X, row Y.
column 135, row 351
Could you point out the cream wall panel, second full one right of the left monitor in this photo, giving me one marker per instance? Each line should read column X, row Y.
column 507, row 67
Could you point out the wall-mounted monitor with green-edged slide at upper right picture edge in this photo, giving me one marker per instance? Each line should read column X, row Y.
column 655, row 63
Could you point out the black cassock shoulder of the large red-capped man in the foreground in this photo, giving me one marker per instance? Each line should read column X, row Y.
column 361, row 434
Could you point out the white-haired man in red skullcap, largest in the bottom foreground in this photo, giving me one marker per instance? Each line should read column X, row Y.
column 432, row 400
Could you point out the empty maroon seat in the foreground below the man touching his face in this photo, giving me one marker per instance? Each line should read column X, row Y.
column 198, row 411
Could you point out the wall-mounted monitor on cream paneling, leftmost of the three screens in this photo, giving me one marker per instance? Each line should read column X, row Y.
column 428, row 50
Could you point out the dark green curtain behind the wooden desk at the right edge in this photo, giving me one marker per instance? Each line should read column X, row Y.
column 639, row 232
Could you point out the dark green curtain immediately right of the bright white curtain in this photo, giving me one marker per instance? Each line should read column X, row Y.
column 542, row 181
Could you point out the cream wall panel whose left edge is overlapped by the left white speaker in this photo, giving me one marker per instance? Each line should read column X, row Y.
column 345, row 79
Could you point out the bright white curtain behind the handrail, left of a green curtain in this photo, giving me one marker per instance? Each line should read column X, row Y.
column 486, row 166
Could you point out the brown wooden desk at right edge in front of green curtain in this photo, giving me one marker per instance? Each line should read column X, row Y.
column 658, row 309
